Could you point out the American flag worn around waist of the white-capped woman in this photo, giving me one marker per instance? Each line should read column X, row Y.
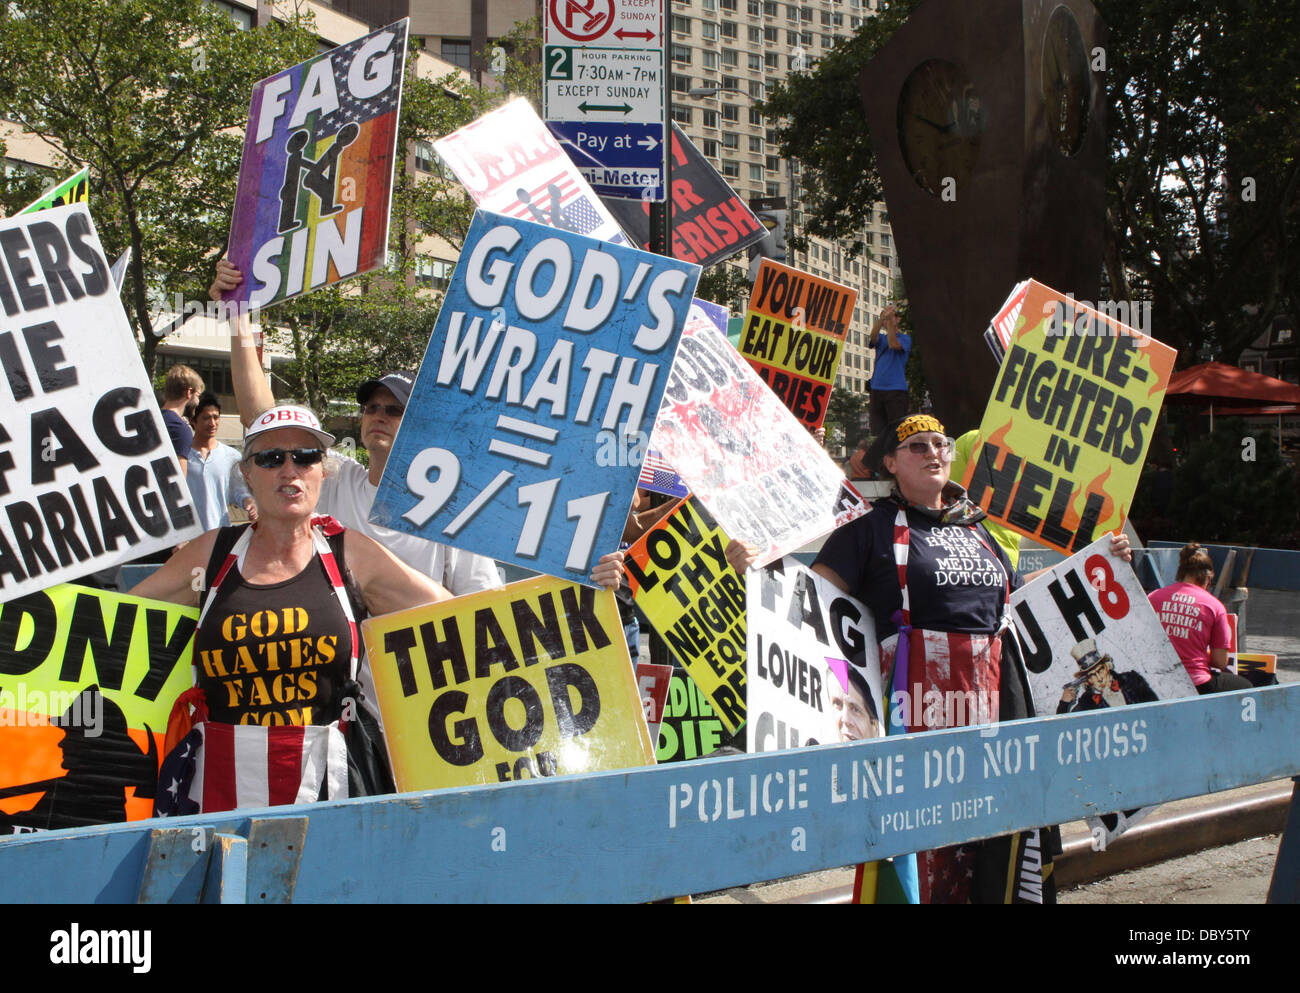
column 227, row 766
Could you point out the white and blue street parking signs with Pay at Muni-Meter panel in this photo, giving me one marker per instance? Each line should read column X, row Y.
column 605, row 93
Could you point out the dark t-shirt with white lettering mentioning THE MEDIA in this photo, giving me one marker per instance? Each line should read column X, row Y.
column 956, row 573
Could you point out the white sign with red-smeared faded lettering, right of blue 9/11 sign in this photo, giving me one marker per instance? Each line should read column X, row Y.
column 757, row 470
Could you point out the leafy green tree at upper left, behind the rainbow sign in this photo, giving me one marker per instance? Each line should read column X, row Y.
column 154, row 97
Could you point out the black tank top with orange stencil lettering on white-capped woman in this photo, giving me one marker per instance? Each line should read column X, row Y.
column 275, row 654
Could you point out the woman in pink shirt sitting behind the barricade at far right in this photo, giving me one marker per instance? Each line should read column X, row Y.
column 1197, row 623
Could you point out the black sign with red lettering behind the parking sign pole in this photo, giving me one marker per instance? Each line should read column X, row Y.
column 710, row 223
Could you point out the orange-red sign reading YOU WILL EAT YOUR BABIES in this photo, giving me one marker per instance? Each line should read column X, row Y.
column 794, row 336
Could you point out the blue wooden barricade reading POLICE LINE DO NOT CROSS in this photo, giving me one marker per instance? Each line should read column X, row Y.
column 690, row 827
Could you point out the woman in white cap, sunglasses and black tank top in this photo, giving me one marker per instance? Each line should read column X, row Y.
column 279, row 641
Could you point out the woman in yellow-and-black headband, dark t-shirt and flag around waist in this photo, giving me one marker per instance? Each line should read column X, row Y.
column 938, row 588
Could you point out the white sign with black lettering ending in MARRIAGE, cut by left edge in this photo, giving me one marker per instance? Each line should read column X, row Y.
column 88, row 475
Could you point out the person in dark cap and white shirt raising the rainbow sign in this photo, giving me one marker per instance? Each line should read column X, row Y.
column 349, row 495
